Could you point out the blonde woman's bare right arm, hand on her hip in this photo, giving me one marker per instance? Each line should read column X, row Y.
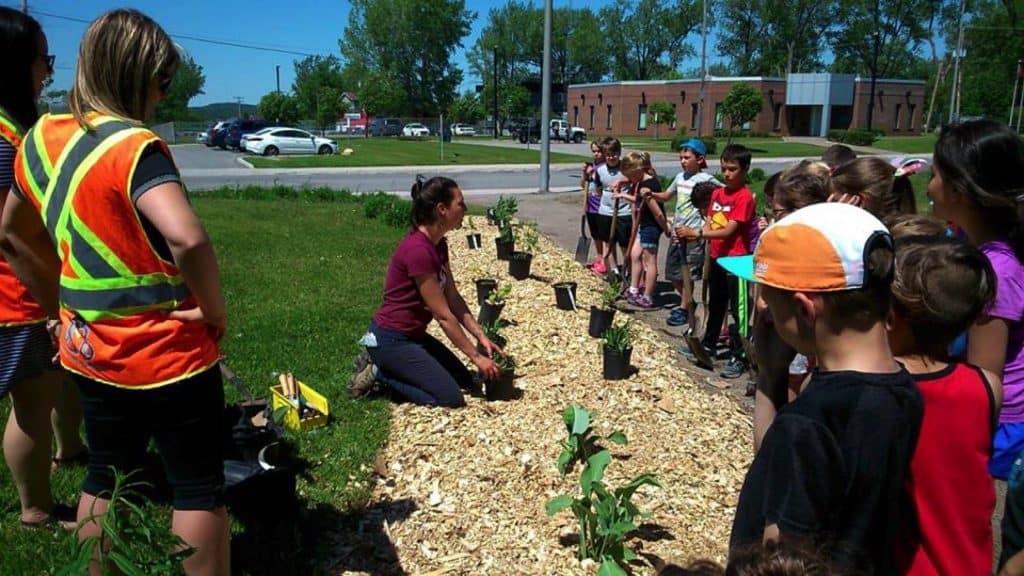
column 167, row 208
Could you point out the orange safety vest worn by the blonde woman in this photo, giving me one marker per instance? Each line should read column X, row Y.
column 115, row 290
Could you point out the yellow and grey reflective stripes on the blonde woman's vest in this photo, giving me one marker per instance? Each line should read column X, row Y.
column 103, row 286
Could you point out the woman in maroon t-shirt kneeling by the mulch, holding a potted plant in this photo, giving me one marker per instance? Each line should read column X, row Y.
column 419, row 287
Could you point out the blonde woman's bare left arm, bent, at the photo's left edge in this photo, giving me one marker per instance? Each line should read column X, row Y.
column 27, row 246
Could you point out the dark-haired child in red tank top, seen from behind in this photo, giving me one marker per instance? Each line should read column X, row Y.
column 941, row 289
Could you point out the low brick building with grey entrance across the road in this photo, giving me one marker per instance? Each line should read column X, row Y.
column 800, row 105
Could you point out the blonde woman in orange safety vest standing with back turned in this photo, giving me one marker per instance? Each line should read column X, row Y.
column 102, row 232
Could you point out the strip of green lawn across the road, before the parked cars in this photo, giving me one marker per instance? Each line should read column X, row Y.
column 395, row 152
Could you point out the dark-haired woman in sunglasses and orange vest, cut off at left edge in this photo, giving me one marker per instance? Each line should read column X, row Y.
column 38, row 388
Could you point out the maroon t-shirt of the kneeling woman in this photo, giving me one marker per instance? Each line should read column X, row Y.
column 404, row 309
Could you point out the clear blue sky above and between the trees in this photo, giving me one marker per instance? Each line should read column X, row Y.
column 301, row 26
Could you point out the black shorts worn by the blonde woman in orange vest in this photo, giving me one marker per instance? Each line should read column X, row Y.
column 186, row 420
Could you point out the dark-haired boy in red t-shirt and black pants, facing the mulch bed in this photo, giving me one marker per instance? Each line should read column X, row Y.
column 728, row 226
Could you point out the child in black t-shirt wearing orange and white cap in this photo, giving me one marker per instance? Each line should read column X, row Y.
column 833, row 465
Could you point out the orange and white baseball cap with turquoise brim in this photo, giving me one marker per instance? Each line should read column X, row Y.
column 821, row 249
